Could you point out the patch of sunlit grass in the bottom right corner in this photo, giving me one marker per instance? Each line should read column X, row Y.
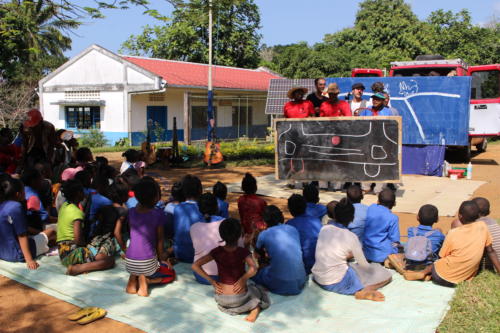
column 475, row 306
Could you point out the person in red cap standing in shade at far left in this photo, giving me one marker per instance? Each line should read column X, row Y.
column 38, row 139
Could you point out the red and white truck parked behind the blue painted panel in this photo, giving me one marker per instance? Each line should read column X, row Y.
column 485, row 94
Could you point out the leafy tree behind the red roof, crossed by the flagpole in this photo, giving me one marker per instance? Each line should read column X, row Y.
column 185, row 37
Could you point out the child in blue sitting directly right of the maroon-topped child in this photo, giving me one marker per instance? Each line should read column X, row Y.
column 285, row 273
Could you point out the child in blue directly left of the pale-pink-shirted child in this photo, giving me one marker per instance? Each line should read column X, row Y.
column 186, row 214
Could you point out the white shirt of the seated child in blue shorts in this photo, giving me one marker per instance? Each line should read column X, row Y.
column 334, row 247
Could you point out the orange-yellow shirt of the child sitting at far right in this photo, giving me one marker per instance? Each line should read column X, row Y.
column 462, row 251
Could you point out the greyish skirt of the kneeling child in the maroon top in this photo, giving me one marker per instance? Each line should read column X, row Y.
column 255, row 296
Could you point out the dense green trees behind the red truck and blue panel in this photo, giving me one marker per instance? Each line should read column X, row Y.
column 386, row 31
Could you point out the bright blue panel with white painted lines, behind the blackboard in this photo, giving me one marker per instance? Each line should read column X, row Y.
column 435, row 110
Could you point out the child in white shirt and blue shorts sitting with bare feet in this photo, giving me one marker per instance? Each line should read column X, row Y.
column 336, row 247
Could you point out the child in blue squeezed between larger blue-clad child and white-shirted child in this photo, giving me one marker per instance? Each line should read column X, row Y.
column 308, row 228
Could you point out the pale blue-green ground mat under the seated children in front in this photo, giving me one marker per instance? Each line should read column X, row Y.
column 186, row 306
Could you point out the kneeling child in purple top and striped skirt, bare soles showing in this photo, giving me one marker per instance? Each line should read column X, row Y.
column 145, row 258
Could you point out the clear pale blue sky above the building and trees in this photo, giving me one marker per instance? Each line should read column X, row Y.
column 282, row 21
